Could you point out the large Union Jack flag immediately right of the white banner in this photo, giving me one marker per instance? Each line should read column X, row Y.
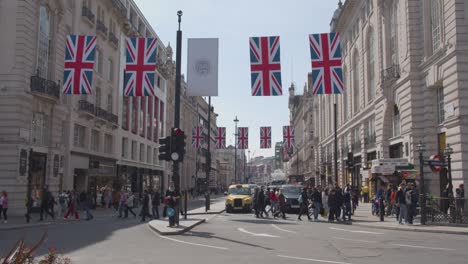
column 265, row 66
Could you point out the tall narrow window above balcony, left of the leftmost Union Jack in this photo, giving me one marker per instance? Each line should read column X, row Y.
column 44, row 41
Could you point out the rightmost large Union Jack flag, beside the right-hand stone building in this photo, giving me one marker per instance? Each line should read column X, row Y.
column 327, row 73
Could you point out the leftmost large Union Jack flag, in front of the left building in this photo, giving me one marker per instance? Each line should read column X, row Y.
column 79, row 64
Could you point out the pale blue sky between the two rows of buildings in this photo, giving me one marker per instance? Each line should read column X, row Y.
column 233, row 22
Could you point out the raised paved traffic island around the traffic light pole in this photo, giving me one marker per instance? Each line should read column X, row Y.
column 194, row 217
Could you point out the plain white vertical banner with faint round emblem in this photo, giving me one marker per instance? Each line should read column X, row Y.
column 202, row 67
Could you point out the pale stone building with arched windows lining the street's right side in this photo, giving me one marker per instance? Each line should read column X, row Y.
column 403, row 68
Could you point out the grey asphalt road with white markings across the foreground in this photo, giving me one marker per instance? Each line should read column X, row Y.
column 240, row 238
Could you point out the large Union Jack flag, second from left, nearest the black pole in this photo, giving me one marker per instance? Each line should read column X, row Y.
column 140, row 67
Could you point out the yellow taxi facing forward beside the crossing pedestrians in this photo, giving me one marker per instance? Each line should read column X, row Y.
column 239, row 198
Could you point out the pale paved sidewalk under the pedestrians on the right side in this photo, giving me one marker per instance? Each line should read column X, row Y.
column 363, row 217
